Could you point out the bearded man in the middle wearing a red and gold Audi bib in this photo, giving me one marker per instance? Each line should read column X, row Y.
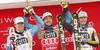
column 49, row 35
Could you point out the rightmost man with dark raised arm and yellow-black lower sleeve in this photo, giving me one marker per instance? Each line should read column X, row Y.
column 89, row 34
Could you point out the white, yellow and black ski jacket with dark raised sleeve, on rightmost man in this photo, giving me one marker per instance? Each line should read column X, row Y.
column 89, row 33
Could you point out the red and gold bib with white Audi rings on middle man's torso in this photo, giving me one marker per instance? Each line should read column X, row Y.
column 50, row 39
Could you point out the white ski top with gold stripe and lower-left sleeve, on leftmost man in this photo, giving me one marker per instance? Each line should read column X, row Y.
column 23, row 41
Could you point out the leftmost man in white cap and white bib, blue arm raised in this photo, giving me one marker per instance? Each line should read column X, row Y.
column 23, row 36
